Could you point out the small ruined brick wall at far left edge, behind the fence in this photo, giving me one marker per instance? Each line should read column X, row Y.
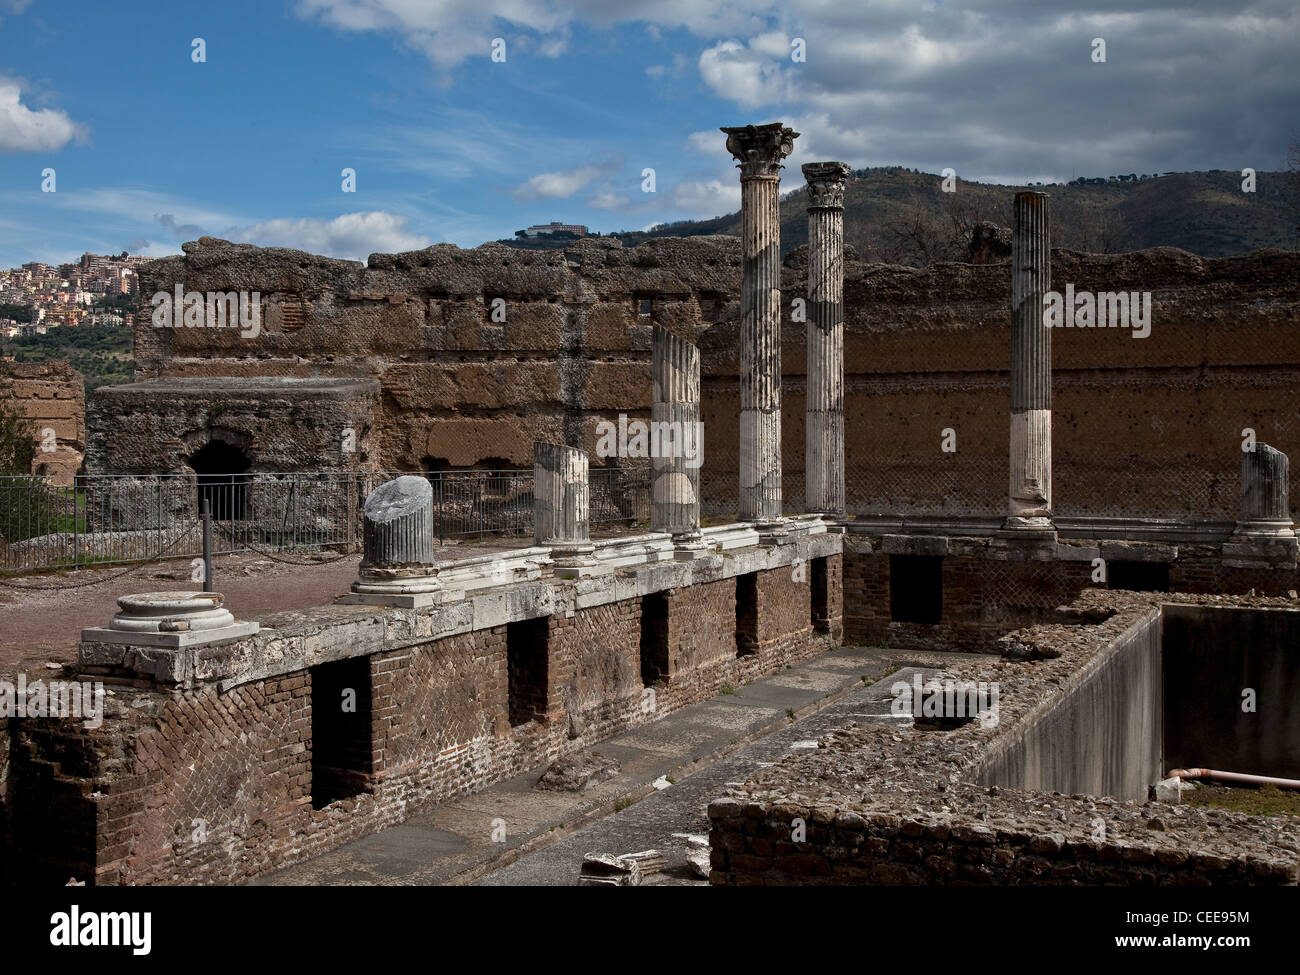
column 53, row 396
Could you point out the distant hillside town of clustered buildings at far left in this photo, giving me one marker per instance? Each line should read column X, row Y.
column 96, row 291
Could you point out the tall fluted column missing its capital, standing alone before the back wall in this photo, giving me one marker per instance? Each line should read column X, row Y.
column 1030, row 502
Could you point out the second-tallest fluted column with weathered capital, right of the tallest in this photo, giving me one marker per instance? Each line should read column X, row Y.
column 824, row 452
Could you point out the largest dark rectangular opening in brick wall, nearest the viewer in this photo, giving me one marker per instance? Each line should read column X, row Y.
column 343, row 751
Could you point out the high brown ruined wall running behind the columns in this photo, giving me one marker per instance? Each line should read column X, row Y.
column 925, row 350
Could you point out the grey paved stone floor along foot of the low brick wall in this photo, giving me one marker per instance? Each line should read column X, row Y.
column 699, row 749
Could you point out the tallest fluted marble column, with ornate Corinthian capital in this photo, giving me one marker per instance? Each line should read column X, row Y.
column 760, row 150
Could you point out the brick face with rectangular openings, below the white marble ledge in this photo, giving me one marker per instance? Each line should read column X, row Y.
column 205, row 786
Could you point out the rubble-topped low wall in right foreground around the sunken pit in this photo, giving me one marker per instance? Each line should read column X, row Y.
column 882, row 801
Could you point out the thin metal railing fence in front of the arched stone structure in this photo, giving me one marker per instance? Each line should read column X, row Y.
column 107, row 519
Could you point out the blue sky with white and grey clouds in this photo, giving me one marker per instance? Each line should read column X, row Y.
column 469, row 120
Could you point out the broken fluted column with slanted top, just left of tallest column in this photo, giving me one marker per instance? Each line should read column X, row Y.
column 675, row 423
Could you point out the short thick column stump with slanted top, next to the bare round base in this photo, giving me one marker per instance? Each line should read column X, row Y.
column 400, row 538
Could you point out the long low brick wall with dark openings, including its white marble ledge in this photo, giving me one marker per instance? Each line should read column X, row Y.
column 229, row 744
